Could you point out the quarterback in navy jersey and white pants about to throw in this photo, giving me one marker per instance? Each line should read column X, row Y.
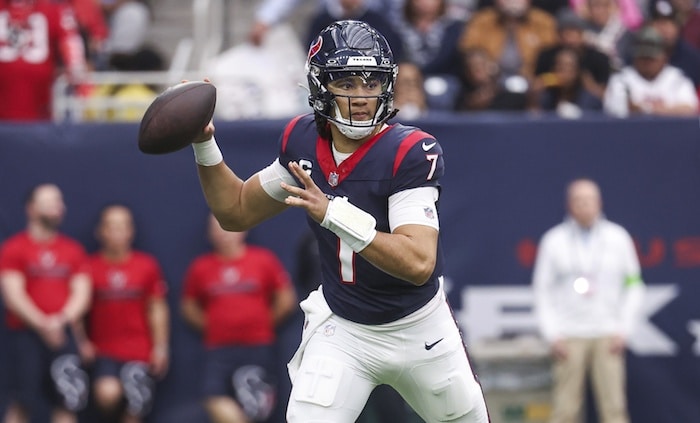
column 370, row 190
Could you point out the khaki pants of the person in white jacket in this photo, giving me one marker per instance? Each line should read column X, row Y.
column 589, row 357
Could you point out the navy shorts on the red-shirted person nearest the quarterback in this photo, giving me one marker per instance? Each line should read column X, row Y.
column 244, row 373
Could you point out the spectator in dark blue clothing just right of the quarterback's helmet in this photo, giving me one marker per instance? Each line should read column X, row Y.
column 431, row 37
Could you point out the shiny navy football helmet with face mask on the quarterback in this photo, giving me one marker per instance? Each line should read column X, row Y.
column 350, row 48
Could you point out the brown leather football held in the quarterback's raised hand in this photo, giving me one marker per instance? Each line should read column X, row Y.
column 176, row 116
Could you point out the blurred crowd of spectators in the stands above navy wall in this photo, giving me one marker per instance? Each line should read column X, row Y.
column 568, row 57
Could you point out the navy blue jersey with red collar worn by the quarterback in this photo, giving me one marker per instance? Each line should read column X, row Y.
column 398, row 158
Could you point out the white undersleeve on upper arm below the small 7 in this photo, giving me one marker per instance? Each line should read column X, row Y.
column 414, row 206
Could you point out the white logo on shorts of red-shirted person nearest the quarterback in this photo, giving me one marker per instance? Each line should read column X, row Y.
column 254, row 391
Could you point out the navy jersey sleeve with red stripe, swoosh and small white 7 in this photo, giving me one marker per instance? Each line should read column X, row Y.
column 418, row 162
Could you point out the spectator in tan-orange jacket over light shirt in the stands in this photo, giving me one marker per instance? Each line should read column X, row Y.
column 512, row 33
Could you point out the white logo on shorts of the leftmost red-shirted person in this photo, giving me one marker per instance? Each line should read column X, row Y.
column 70, row 381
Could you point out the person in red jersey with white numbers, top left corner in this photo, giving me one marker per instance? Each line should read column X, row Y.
column 39, row 40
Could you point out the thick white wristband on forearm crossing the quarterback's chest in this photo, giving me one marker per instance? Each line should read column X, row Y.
column 353, row 225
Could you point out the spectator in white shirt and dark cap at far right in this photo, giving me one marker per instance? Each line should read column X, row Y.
column 650, row 85
